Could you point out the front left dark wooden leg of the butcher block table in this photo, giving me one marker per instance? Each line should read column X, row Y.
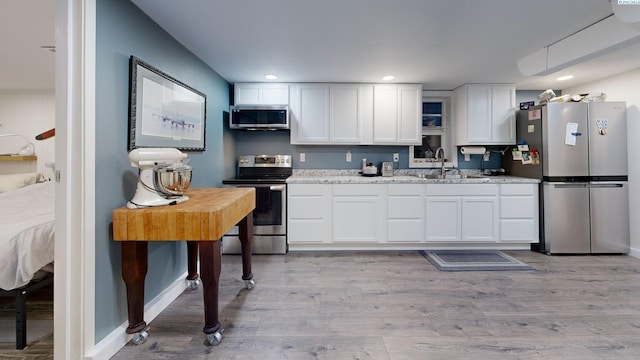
column 134, row 270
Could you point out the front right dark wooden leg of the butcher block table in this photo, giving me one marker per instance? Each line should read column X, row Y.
column 210, row 265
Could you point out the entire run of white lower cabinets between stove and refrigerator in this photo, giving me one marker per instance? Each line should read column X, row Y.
column 411, row 216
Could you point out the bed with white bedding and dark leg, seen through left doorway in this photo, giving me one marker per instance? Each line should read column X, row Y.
column 26, row 240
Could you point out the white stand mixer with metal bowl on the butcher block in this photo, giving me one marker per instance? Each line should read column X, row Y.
column 163, row 177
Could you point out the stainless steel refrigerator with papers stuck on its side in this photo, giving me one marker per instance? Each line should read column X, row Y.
column 579, row 152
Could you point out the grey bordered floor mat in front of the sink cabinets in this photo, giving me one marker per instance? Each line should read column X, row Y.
column 473, row 260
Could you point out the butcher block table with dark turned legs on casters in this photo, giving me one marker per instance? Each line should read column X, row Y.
column 200, row 221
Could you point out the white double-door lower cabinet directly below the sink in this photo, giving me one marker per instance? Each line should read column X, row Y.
column 462, row 213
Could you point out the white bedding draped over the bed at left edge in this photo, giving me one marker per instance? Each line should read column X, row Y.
column 26, row 233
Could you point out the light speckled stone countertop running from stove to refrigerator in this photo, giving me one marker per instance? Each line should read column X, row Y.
column 401, row 176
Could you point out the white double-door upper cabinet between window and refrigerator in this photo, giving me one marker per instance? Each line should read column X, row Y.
column 484, row 114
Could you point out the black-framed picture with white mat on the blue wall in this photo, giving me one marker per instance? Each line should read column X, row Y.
column 164, row 112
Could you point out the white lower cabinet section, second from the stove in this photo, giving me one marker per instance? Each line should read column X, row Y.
column 358, row 214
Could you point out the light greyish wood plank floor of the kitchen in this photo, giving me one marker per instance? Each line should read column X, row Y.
column 396, row 305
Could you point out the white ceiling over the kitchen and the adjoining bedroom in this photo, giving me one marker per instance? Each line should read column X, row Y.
column 439, row 43
